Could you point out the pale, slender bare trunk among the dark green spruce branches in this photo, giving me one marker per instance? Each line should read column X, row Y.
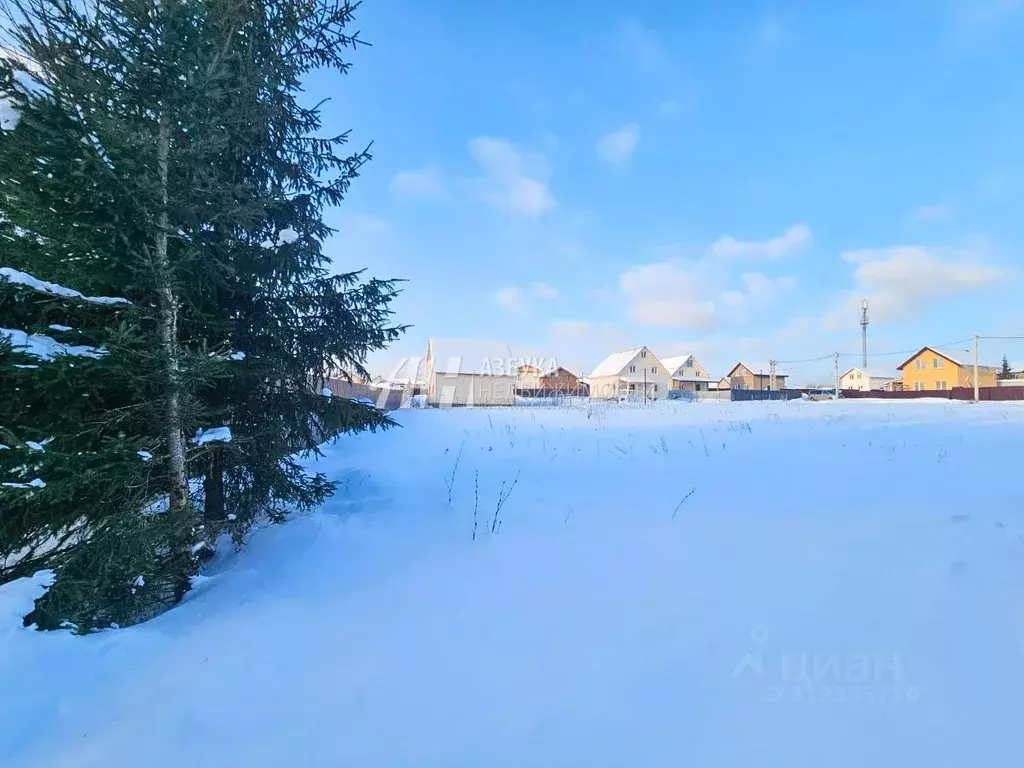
column 169, row 336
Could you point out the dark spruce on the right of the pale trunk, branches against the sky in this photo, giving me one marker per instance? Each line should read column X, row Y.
column 273, row 302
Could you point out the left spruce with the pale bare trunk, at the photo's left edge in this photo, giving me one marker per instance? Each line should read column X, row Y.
column 90, row 197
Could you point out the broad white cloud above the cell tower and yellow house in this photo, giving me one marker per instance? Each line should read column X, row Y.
column 902, row 282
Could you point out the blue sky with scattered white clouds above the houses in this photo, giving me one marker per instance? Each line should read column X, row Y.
column 729, row 180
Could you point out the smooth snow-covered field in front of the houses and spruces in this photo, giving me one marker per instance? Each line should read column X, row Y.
column 843, row 586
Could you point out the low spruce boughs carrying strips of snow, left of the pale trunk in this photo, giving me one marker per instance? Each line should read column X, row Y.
column 75, row 429
